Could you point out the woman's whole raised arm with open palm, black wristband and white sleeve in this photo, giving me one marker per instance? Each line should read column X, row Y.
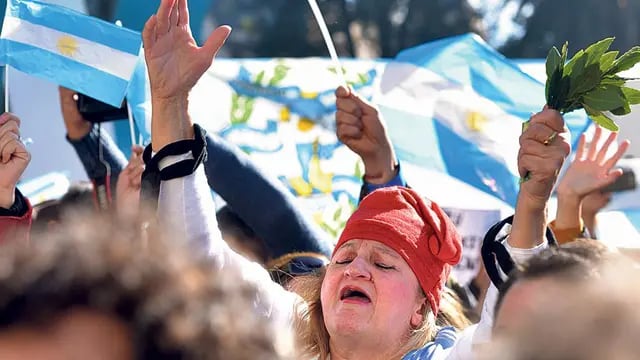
column 175, row 63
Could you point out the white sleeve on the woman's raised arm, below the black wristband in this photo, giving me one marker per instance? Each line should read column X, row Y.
column 185, row 206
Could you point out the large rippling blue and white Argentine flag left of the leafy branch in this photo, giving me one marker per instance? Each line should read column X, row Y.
column 464, row 104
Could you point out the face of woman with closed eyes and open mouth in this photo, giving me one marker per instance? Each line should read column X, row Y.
column 370, row 293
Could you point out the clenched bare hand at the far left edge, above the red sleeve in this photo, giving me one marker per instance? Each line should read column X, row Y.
column 14, row 158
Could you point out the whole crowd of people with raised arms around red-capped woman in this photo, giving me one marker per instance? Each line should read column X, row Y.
column 155, row 272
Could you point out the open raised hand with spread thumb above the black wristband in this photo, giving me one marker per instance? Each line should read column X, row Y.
column 175, row 63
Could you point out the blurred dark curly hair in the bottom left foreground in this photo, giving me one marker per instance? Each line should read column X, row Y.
column 176, row 303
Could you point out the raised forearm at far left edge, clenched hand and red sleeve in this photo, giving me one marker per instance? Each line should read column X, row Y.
column 15, row 210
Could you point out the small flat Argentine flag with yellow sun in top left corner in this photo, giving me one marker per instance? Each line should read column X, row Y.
column 71, row 49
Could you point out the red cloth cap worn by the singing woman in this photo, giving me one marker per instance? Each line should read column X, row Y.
column 416, row 229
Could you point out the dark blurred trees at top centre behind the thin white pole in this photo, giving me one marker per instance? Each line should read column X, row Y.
column 364, row 28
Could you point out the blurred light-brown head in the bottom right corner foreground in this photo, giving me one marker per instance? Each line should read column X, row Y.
column 589, row 319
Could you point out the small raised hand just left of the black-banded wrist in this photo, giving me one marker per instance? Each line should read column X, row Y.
column 128, row 186
